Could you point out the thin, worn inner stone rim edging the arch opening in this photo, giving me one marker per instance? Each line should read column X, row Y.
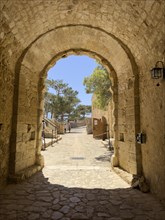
column 103, row 62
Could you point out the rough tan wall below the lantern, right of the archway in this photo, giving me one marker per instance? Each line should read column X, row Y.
column 153, row 125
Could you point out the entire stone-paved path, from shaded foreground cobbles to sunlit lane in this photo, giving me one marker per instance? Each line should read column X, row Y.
column 77, row 183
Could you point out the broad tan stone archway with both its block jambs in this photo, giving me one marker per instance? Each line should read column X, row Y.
column 32, row 68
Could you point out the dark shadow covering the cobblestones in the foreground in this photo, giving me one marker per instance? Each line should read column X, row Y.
column 37, row 198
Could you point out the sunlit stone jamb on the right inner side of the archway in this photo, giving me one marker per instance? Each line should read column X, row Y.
column 126, row 124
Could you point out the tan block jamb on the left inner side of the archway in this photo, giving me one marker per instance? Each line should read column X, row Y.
column 26, row 120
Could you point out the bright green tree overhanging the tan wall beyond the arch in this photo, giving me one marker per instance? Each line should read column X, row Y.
column 99, row 84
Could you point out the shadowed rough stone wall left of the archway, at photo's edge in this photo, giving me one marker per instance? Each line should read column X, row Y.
column 8, row 58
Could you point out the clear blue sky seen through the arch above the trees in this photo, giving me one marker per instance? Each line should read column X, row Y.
column 72, row 70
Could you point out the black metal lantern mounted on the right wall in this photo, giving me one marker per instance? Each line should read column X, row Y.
column 158, row 71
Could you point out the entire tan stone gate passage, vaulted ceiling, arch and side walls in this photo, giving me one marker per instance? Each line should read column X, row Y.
column 127, row 37
